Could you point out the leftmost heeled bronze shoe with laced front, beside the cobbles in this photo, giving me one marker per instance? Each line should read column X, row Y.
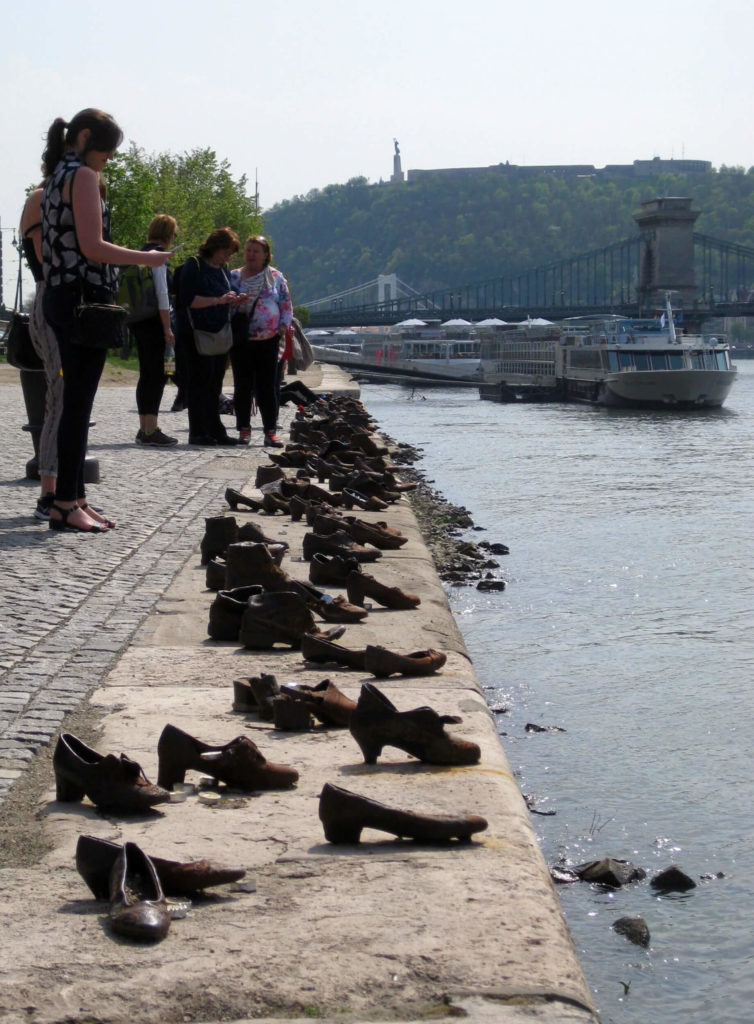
column 111, row 783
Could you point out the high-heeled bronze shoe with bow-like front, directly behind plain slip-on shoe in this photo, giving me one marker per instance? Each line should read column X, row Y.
column 376, row 722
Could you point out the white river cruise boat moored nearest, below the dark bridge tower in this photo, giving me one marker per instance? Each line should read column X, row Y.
column 609, row 361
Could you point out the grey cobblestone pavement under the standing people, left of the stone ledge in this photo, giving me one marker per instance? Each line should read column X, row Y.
column 70, row 605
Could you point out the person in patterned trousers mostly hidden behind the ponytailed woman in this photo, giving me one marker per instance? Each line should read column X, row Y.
column 46, row 346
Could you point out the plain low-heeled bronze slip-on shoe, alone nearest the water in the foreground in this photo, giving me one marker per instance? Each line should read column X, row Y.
column 345, row 815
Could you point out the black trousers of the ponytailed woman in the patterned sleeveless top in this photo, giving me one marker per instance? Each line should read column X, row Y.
column 82, row 369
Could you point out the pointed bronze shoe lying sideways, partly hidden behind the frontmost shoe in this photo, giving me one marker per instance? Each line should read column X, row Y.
column 96, row 858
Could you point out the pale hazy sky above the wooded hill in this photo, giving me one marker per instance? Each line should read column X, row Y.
column 311, row 93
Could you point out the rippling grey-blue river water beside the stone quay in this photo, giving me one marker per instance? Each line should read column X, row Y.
column 627, row 623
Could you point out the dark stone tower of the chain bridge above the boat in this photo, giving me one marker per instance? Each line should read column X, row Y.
column 666, row 262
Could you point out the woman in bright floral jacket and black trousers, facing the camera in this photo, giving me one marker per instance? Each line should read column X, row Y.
column 255, row 358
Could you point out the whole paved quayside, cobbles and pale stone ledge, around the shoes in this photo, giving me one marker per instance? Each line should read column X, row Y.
column 106, row 636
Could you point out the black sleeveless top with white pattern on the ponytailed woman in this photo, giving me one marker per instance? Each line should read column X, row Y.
column 63, row 260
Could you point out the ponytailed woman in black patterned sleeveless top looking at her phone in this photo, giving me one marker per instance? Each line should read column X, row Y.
column 79, row 261
